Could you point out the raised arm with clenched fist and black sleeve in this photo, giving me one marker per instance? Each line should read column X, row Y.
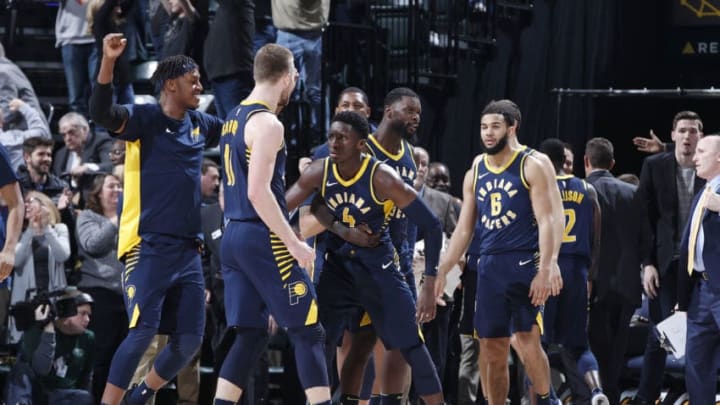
column 102, row 110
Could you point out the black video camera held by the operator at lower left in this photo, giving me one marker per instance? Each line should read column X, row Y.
column 63, row 304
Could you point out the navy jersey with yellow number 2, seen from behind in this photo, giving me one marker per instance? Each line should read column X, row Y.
column 578, row 209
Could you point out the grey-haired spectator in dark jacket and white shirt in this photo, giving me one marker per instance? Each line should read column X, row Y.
column 85, row 151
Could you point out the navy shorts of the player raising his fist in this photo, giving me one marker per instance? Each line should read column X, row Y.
column 164, row 286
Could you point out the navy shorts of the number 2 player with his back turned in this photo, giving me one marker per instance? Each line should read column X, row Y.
column 566, row 315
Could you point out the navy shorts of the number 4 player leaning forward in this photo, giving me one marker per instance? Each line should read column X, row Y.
column 377, row 288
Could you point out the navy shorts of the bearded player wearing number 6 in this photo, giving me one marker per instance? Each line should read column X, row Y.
column 502, row 302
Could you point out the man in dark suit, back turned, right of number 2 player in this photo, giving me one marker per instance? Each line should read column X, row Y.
column 616, row 286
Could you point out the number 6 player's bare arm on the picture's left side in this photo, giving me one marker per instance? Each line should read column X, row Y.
column 461, row 237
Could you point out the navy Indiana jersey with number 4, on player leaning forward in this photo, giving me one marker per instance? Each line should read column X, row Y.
column 353, row 201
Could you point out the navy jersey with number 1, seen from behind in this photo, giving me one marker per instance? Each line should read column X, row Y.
column 236, row 157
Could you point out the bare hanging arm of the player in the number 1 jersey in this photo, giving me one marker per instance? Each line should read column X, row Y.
column 264, row 136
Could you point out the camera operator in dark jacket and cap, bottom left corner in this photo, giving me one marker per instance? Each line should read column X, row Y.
column 57, row 354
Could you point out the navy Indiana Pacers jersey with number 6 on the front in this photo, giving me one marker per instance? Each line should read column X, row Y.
column 506, row 222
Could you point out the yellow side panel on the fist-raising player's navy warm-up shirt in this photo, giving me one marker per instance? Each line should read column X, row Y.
column 128, row 235
